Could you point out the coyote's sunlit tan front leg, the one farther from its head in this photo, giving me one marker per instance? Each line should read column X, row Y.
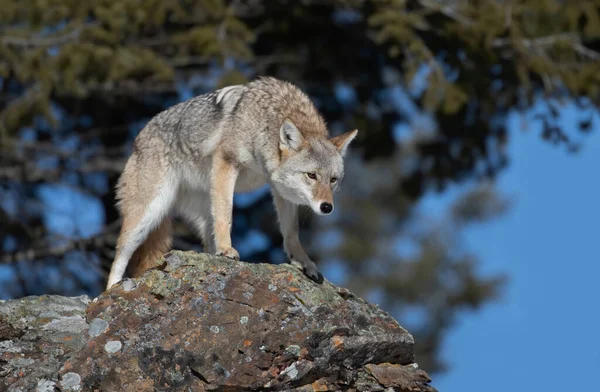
column 223, row 178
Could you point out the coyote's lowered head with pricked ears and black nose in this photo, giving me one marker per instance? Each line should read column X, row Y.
column 311, row 168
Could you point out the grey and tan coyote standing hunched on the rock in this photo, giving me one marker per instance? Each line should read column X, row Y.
column 192, row 157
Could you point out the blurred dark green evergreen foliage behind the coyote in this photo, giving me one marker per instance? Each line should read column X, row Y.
column 96, row 71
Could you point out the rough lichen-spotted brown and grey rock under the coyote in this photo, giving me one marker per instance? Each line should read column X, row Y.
column 205, row 323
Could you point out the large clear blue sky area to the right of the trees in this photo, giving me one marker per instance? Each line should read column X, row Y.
column 543, row 334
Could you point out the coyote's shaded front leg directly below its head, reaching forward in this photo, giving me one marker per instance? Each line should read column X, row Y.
column 288, row 220
